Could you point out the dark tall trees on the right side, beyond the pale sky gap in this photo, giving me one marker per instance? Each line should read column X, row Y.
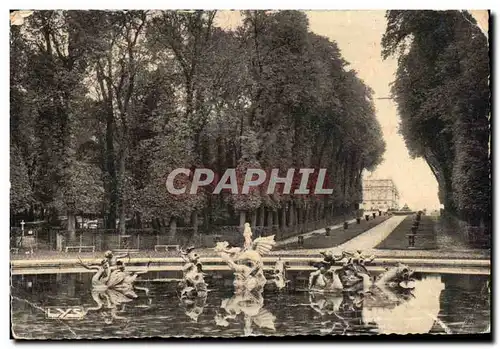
column 443, row 96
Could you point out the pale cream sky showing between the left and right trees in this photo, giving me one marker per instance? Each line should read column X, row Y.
column 358, row 34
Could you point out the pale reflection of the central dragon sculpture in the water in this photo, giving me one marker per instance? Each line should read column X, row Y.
column 249, row 305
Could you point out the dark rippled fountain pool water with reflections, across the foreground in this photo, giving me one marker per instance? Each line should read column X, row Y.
column 461, row 307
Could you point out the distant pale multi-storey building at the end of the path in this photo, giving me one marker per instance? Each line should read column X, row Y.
column 380, row 194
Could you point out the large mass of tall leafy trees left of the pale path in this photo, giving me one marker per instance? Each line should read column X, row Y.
column 104, row 104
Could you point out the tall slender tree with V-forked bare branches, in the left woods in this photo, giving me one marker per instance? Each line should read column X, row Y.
column 118, row 58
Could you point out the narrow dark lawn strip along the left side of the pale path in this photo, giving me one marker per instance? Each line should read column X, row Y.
column 337, row 236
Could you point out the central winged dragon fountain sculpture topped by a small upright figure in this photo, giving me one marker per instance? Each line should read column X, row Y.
column 246, row 263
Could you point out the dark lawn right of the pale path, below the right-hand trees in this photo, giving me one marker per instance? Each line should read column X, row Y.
column 425, row 239
